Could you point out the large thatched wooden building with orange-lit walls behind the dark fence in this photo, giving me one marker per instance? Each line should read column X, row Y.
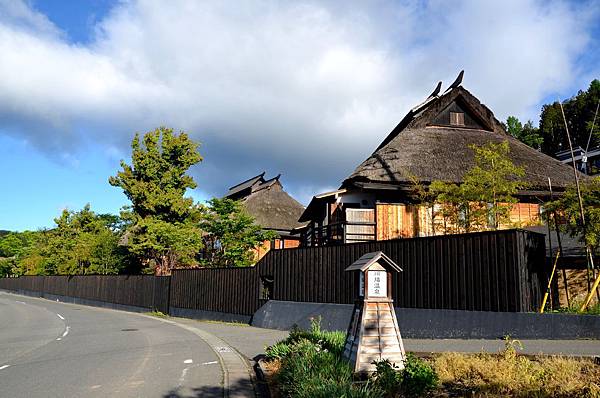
column 377, row 201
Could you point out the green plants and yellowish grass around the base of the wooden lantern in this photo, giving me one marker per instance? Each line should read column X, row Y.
column 310, row 364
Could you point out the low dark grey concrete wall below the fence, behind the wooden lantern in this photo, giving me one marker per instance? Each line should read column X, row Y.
column 438, row 324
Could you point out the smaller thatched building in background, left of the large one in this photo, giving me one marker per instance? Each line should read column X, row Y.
column 272, row 208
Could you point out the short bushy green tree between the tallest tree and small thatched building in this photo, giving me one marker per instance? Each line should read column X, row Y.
column 230, row 234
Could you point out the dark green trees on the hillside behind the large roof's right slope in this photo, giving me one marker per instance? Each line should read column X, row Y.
column 579, row 112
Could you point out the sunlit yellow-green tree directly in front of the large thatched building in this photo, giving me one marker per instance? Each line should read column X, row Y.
column 486, row 195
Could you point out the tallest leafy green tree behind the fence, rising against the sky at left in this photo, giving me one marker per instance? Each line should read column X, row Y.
column 163, row 230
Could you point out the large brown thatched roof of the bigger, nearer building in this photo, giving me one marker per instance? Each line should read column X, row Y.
column 424, row 146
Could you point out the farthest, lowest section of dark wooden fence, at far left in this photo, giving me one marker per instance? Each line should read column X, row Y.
column 144, row 291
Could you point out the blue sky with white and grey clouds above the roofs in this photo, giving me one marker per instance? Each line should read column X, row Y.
column 306, row 88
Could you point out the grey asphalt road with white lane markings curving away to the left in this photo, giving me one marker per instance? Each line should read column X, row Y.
column 50, row 349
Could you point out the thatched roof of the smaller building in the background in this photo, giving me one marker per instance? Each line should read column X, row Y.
column 268, row 203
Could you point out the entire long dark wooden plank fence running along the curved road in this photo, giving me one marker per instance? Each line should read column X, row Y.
column 487, row 271
